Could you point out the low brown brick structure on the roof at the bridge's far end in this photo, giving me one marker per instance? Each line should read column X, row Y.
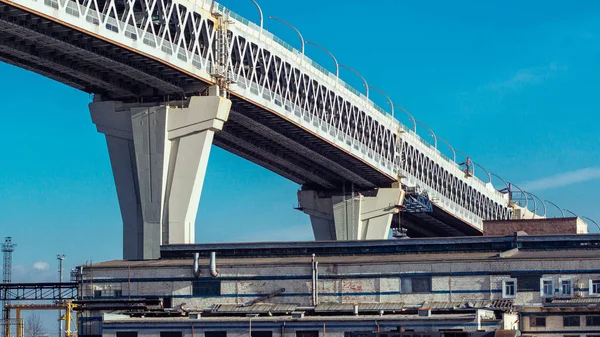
column 535, row 226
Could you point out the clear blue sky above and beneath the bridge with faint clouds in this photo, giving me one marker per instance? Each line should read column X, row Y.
column 512, row 83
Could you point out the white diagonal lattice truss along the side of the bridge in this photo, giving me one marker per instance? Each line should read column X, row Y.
column 262, row 69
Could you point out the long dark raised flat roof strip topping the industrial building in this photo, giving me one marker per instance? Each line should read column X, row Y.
column 385, row 247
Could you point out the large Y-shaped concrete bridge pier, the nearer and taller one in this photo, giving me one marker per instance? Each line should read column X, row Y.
column 159, row 154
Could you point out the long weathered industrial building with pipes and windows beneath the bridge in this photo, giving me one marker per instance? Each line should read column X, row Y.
column 542, row 285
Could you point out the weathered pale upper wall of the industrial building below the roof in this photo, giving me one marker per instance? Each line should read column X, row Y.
column 341, row 283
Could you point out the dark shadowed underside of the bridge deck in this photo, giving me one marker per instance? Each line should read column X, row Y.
column 96, row 66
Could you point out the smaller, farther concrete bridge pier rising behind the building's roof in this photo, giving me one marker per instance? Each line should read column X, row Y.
column 357, row 216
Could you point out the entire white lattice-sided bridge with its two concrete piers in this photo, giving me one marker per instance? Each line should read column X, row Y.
column 172, row 77
